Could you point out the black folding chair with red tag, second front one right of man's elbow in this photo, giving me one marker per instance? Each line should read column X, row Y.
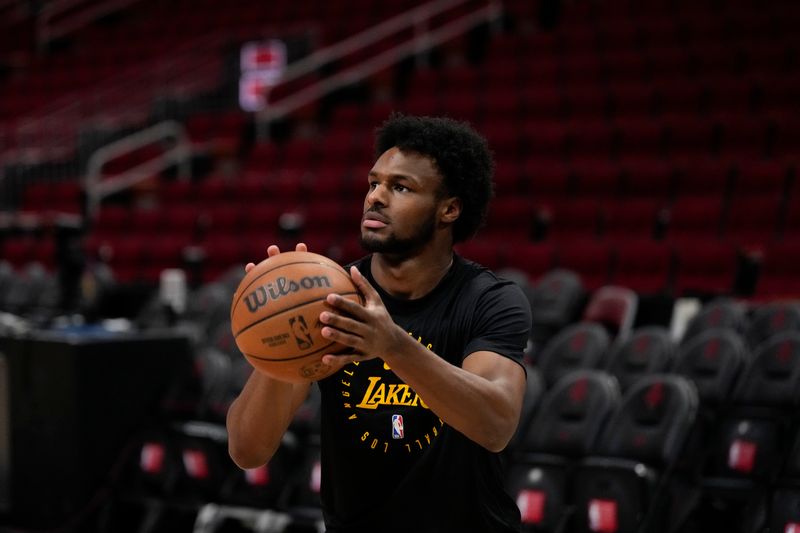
column 629, row 482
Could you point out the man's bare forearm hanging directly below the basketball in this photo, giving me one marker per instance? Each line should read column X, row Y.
column 259, row 417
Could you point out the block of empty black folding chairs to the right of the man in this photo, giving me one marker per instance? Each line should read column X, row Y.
column 650, row 434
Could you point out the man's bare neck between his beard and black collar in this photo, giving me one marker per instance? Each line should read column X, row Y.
column 411, row 277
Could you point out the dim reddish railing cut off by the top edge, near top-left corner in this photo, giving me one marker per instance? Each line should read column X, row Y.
column 61, row 17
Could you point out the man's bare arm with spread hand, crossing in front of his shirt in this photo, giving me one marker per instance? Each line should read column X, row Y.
column 482, row 399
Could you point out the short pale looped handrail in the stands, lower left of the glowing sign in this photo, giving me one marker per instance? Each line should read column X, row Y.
column 179, row 153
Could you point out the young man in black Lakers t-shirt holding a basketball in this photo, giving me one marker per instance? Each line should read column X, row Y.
column 414, row 419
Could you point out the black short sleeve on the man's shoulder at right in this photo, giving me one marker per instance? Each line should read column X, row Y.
column 502, row 322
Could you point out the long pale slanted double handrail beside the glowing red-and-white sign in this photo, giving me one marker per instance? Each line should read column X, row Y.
column 424, row 39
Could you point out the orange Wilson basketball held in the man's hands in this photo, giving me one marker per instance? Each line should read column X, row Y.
column 275, row 314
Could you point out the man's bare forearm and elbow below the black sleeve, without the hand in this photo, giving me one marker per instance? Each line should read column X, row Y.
column 484, row 410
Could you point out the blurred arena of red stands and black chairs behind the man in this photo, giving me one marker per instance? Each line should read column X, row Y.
column 646, row 201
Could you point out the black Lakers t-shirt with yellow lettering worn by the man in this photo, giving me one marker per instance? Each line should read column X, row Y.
column 389, row 464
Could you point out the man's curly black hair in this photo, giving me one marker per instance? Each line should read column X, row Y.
column 461, row 155
